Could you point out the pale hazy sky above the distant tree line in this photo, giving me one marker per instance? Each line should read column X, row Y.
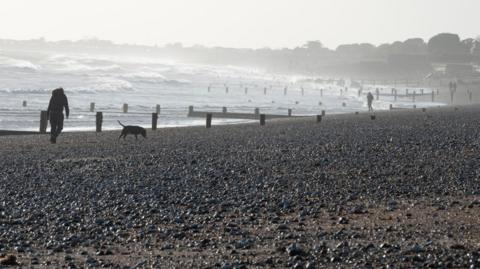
column 238, row 23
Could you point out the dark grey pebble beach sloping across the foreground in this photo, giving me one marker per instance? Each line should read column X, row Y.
column 400, row 191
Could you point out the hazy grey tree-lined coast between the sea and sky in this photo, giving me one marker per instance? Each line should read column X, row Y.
column 412, row 57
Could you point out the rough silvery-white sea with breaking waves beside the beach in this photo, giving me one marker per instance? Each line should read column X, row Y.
column 110, row 81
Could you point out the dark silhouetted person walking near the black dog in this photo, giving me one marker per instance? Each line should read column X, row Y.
column 58, row 102
